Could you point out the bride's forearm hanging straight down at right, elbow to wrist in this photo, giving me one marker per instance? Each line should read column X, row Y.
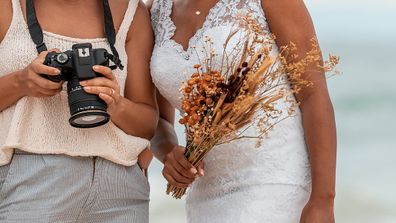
column 320, row 134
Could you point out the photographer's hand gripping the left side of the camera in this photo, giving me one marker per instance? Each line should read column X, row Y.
column 33, row 84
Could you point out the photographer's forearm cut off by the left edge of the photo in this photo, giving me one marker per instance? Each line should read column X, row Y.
column 10, row 90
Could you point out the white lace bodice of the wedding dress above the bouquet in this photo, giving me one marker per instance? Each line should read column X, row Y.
column 221, row 16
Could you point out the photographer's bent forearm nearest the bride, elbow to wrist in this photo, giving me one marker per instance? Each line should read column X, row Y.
column 135, row 118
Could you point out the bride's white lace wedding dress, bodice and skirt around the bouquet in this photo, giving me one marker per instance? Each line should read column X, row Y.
column 242, row 183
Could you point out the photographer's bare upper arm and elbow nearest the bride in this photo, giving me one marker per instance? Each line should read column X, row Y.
column 139, row 87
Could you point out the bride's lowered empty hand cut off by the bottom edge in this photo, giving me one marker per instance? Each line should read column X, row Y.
column 318, row 211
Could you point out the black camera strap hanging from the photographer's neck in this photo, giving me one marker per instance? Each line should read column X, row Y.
column 37, row 36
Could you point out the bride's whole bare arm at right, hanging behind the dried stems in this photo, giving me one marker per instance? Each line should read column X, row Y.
column 289, row 20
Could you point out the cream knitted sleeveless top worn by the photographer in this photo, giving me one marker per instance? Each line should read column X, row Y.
column 40, row 125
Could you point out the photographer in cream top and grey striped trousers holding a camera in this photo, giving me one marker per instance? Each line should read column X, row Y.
column 61, row 158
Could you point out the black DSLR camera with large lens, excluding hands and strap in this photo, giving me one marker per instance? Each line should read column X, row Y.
column 87, row 110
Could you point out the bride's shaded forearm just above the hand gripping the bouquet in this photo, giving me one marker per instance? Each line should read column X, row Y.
column 165, row 139
